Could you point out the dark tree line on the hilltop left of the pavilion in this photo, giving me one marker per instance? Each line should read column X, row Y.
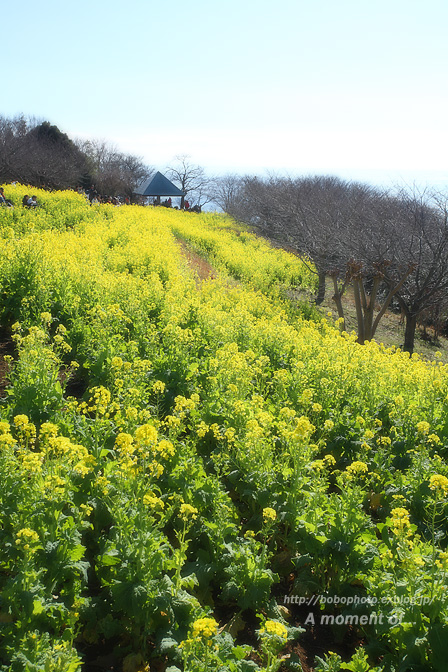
column 38, row 153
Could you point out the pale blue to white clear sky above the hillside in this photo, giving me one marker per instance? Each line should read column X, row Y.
column 356, row 88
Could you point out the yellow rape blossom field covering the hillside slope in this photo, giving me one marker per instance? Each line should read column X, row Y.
column 201, row 475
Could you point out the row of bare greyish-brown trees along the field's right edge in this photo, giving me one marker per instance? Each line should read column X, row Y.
column 391, row 246
